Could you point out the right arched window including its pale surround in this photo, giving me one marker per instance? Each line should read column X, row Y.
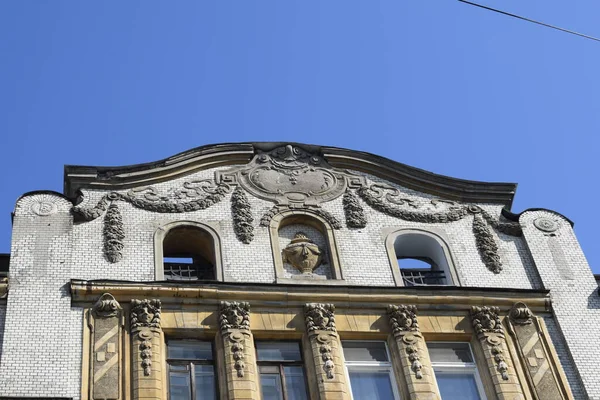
column 420, row 258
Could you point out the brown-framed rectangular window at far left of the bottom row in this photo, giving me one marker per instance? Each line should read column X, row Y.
column 191, row 370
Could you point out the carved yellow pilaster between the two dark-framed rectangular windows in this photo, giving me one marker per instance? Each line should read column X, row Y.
column 237, row 344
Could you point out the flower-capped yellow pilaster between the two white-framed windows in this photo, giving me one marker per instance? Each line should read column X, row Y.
column 414, row 356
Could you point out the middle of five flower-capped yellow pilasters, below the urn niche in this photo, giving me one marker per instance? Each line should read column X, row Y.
column 326, row 351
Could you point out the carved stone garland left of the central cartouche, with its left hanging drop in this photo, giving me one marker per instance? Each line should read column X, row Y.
column 194, row 196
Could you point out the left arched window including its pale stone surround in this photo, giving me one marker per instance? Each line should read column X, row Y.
column 187, row 251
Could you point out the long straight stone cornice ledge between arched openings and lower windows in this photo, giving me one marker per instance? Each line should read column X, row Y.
column 436, row 298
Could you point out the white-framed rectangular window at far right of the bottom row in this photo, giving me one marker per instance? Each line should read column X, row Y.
column 455, row 371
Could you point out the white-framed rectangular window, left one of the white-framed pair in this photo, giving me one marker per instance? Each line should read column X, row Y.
column 369, row 370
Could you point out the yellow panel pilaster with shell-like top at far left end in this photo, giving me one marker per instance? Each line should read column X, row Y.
column 105, row 321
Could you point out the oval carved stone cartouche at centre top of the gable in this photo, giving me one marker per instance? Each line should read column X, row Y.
column 290, row 174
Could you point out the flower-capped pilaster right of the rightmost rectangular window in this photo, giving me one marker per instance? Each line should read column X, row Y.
column 487, row 326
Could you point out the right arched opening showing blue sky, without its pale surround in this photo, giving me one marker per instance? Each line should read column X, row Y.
column 422, row 260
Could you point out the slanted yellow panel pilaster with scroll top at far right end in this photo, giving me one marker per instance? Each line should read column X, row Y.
column 543, row 368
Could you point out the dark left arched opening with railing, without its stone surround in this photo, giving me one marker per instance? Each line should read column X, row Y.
column 188, row 254
